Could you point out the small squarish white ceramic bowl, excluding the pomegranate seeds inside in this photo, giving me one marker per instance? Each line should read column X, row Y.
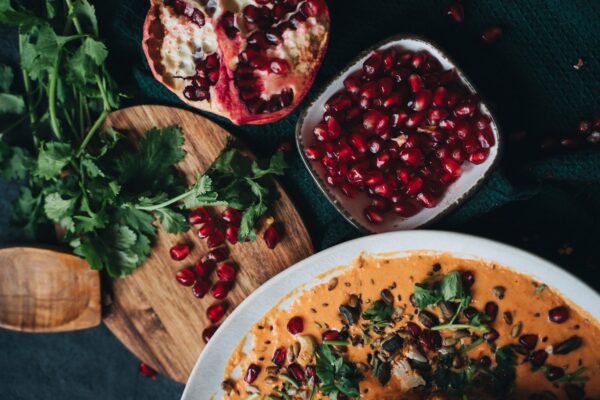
column 352, row 209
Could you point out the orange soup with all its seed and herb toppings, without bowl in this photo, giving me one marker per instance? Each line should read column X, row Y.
column 422, row 326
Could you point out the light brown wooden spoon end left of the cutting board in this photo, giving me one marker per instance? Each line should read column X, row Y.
column 43, row 290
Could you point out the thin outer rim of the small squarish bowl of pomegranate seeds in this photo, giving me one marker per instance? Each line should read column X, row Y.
column 323, row 186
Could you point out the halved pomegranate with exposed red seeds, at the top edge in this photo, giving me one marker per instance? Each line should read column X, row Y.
column 250, row 61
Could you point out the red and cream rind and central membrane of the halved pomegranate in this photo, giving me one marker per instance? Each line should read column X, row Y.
column 225, row 100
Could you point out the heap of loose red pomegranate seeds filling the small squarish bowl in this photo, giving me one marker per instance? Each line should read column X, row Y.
column 400, row 131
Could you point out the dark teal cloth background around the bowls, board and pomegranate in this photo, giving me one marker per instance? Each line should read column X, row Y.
column 542, row 203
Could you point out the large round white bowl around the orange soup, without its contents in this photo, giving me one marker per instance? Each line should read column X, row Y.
column 205, row 380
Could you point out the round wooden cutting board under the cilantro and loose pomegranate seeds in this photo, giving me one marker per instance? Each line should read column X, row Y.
column 159, row 320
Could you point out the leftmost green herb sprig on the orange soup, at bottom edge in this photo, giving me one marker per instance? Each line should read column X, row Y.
column 336, row 375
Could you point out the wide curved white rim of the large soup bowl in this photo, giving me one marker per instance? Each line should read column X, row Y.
column 561, row 281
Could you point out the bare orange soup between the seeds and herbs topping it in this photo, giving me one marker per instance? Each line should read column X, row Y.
column 527, row 303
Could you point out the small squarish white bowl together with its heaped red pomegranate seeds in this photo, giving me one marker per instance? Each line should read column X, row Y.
column 399, row 138
